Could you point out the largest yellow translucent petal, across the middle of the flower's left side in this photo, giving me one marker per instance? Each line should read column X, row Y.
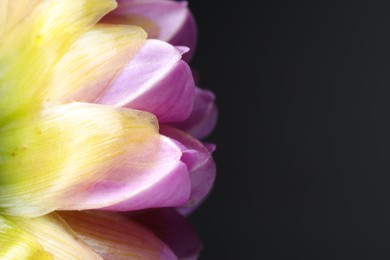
column 46, row 161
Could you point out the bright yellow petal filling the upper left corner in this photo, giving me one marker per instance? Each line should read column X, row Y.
column 30, row 50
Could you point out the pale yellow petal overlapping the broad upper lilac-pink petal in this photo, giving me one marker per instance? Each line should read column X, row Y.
column 93, row 61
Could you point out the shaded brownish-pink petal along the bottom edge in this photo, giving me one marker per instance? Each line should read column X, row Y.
column 115, row 237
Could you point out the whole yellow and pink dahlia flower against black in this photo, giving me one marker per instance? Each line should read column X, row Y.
column 100, row 125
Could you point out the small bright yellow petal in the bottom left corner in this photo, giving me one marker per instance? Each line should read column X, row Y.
column 17, row 244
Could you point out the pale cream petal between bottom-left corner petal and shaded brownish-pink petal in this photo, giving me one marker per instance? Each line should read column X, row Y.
column 56, row 237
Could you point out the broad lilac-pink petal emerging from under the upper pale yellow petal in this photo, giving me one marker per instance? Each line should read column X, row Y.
column 156, row 81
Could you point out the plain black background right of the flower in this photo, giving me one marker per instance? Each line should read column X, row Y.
column 303, row 90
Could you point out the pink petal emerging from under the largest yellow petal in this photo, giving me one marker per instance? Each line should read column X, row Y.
column 152, row 177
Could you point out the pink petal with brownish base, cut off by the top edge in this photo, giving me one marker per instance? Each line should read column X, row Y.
column 169, row 21
